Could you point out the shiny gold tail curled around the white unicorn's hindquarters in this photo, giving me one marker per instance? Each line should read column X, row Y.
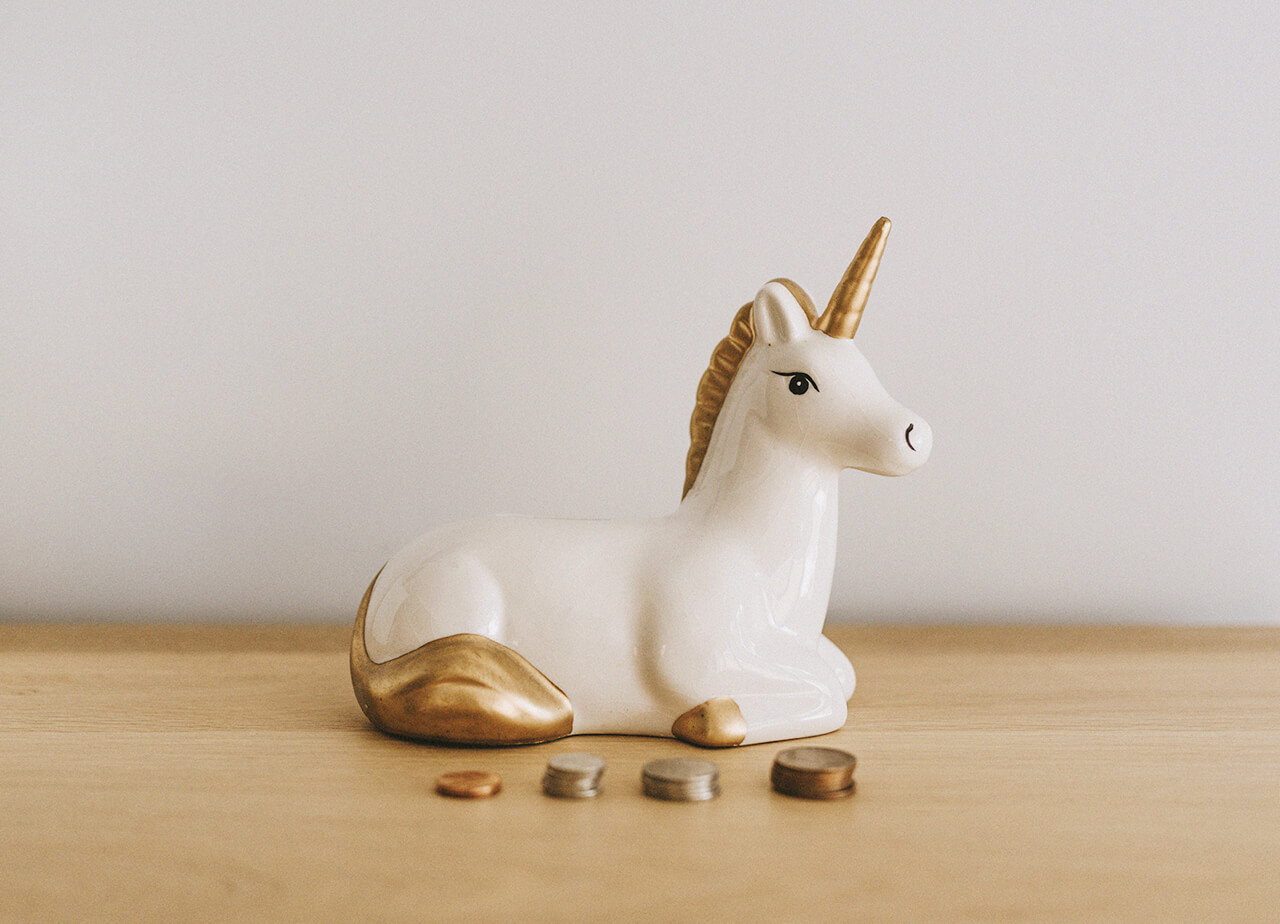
column 464, row 689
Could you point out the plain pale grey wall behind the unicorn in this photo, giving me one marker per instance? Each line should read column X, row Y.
column 285, row 286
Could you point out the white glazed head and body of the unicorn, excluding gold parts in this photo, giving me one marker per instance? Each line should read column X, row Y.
column 641, row 620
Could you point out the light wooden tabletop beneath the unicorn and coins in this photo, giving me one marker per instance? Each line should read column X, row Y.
column 1060, row 775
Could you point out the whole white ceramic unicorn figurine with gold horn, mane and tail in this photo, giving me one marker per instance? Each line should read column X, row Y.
column 705, row 625
